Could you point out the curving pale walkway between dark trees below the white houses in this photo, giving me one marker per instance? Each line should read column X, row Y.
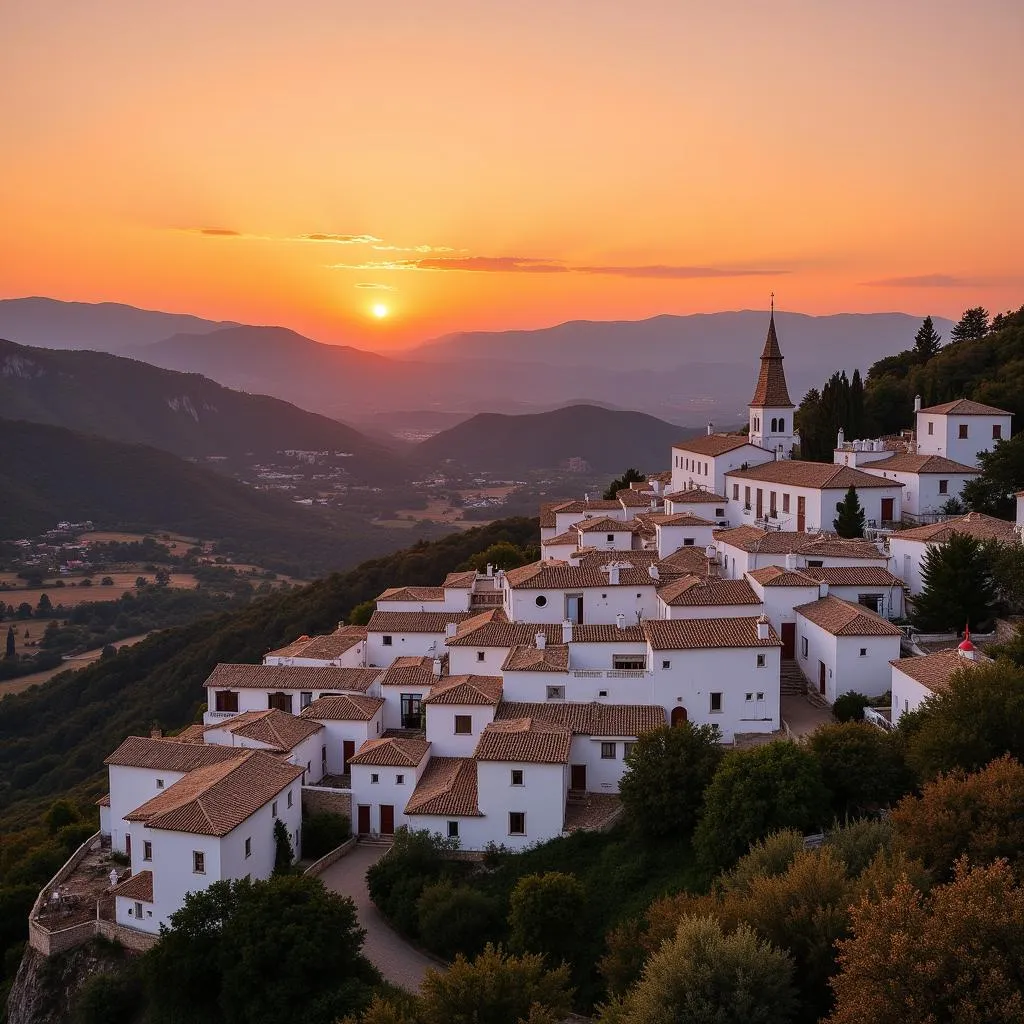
column 400, row 963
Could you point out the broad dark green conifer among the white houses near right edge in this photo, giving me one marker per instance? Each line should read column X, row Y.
column 958, row 589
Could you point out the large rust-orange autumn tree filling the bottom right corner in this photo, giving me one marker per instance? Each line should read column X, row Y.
column 956, row 956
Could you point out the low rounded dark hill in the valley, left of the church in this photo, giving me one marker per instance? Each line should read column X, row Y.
column 610, row 441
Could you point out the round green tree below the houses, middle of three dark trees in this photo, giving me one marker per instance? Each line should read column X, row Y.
column 755, row 792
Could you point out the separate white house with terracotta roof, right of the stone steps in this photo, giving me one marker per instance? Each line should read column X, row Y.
column 844, row 648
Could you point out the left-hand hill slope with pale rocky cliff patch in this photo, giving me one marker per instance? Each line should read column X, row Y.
column 186, row 414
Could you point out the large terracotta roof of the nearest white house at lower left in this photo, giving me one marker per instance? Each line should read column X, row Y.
column 216, row 800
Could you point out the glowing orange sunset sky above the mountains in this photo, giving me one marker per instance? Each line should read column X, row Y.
column 486, row 165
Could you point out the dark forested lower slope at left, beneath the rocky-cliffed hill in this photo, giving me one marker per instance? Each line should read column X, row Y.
column 49, row 474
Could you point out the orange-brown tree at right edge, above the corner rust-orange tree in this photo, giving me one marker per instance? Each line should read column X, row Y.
column 979, row 815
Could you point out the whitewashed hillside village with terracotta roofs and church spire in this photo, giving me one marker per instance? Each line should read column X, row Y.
column 499, row 708
